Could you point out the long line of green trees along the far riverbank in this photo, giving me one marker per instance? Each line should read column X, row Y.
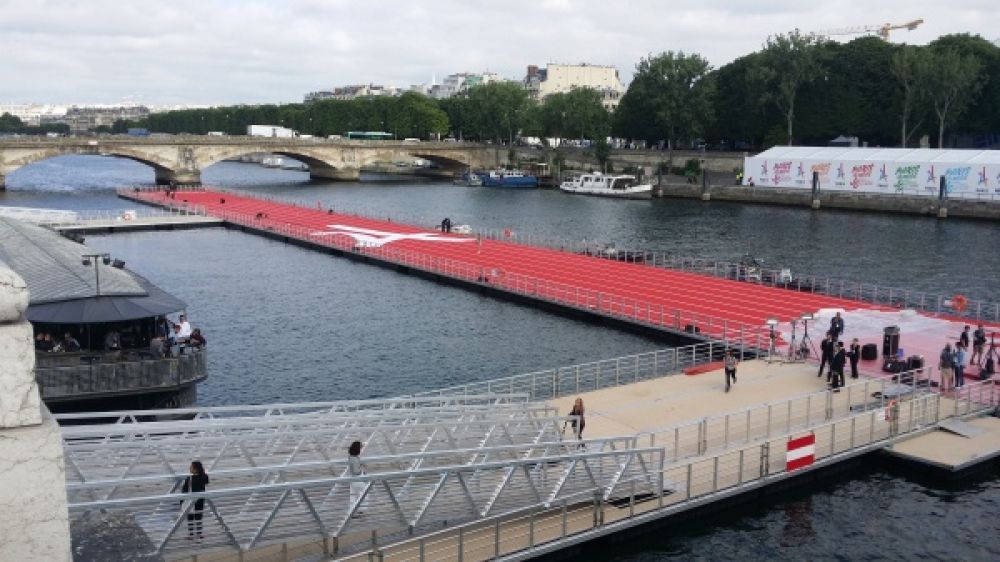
column 797, row 88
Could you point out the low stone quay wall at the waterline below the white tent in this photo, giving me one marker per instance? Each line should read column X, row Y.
column 872, row 202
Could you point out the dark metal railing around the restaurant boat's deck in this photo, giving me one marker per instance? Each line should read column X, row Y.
column 120, row 377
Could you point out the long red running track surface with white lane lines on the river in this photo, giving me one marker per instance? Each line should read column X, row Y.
column 691, row 297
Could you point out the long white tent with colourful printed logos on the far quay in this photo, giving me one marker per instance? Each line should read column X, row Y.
column 918, row 171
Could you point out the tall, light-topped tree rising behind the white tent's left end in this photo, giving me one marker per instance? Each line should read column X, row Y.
column 788, row 63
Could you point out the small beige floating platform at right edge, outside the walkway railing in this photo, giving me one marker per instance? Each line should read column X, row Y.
column 950, row 451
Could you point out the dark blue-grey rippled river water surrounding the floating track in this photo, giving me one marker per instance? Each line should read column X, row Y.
column 287, row 324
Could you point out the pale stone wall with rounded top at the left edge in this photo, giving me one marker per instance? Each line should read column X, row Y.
column 35, row 523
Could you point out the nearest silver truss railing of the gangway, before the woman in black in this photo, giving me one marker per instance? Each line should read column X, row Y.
column 334, row 508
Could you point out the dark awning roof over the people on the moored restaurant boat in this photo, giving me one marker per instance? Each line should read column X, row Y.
column 95, row 310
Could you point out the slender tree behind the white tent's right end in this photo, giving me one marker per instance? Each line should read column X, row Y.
column 952, row 82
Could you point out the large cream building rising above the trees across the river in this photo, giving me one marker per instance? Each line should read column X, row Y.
column 561, row 78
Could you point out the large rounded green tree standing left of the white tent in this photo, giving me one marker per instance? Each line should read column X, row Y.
column 676, row 92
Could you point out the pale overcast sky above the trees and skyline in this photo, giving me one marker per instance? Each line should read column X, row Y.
column 255, row 51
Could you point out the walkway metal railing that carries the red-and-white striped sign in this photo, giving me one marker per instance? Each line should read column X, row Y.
column 536, row 529
